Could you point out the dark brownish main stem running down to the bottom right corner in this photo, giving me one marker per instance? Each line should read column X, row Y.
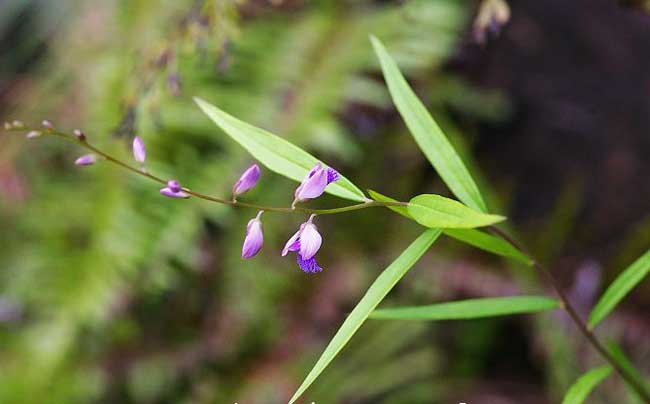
column 629, row 378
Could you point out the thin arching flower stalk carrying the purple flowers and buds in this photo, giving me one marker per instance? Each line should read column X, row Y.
column 85, row 144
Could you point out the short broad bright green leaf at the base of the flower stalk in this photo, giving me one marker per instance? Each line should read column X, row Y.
column 437, row 211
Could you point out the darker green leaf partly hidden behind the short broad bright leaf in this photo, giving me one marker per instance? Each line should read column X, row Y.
column 472, row 237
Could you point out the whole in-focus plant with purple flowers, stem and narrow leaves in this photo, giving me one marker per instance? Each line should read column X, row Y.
column 433, row 211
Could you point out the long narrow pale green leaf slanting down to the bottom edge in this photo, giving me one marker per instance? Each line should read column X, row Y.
column 377, row 291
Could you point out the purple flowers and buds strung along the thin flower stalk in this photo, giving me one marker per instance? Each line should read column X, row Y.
column 305, row 242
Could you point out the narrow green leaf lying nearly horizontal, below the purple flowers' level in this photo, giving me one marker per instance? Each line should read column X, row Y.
column 468, row 309
